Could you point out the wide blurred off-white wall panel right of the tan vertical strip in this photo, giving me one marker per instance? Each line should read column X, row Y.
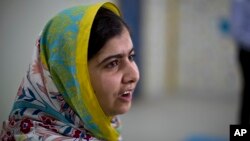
column 207, row 57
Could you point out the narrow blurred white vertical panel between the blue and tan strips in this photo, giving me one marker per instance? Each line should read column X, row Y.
column 154, row 47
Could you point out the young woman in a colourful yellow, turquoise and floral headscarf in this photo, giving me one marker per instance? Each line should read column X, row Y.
column 81, row 77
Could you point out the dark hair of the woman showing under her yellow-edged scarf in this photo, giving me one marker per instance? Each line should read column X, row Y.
column 105, row 26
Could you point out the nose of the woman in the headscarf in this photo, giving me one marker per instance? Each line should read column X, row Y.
column 131, row 73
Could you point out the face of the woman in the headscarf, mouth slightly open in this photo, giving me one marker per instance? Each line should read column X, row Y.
column 114, row 74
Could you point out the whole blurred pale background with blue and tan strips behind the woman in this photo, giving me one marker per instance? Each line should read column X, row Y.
column 190, row 82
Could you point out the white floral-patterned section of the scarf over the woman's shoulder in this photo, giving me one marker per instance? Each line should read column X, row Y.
column 40, row 111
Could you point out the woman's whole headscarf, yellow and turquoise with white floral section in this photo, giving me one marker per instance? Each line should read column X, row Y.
column 55, row 100
